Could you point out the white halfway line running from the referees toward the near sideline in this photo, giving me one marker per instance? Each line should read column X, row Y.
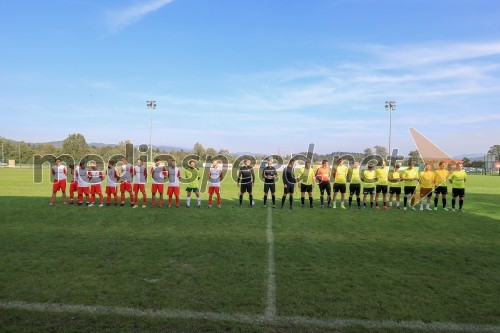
column 271, row 282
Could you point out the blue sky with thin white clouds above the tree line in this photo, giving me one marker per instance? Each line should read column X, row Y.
column 252, row 76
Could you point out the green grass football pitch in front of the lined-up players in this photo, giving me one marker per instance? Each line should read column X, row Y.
column 112, row 269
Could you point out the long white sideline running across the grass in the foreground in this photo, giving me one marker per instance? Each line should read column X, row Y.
column 249, row 319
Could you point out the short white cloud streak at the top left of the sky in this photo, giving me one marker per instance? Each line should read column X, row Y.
column 120, row 19
